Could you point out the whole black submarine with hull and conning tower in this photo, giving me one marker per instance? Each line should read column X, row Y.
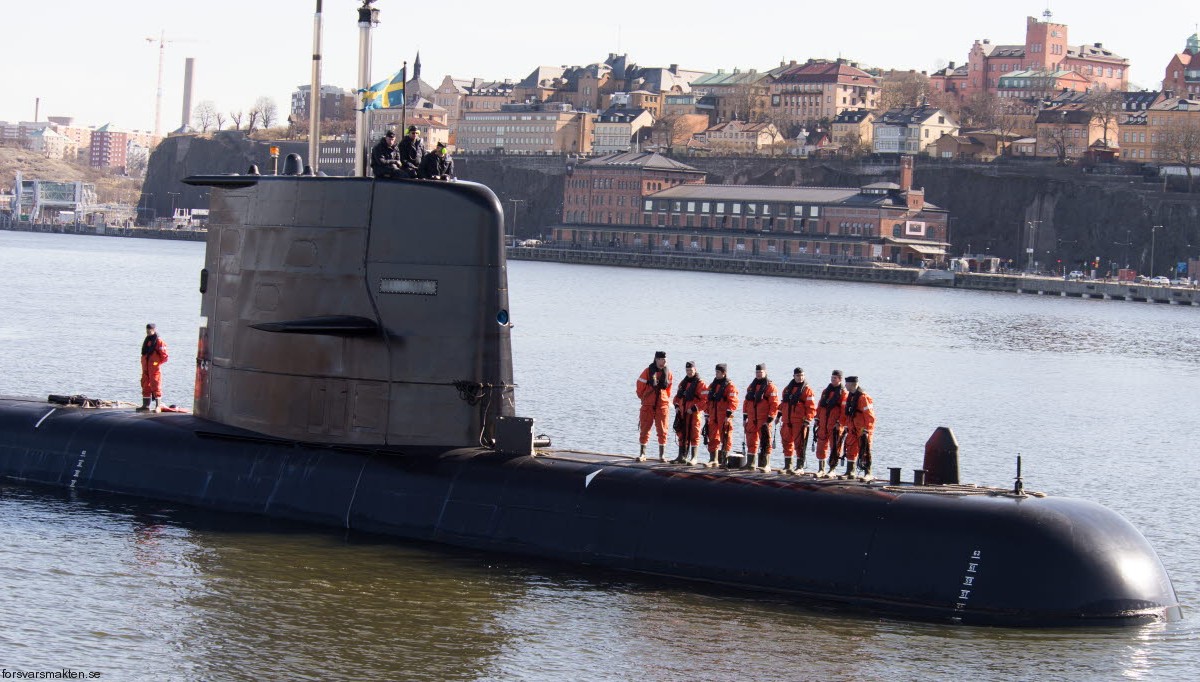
column 355, row 370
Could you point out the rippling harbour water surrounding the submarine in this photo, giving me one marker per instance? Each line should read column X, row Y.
column 1100, row 398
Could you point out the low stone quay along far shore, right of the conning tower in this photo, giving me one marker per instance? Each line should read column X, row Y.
column 867, row 272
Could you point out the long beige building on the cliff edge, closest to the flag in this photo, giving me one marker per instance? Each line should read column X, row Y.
column 541, row 128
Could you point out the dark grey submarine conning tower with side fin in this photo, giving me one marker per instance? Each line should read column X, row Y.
column 353, row 312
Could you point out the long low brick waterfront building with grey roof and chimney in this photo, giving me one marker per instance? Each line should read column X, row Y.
column 883, row 222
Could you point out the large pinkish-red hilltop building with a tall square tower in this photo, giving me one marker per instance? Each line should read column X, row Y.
column 1046, row 49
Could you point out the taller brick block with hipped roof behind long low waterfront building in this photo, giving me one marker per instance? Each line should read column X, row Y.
column 609, row 190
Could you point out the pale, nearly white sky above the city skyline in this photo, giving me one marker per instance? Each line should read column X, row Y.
column 89, row 59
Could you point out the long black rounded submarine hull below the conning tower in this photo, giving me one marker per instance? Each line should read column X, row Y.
column 939, row 553
